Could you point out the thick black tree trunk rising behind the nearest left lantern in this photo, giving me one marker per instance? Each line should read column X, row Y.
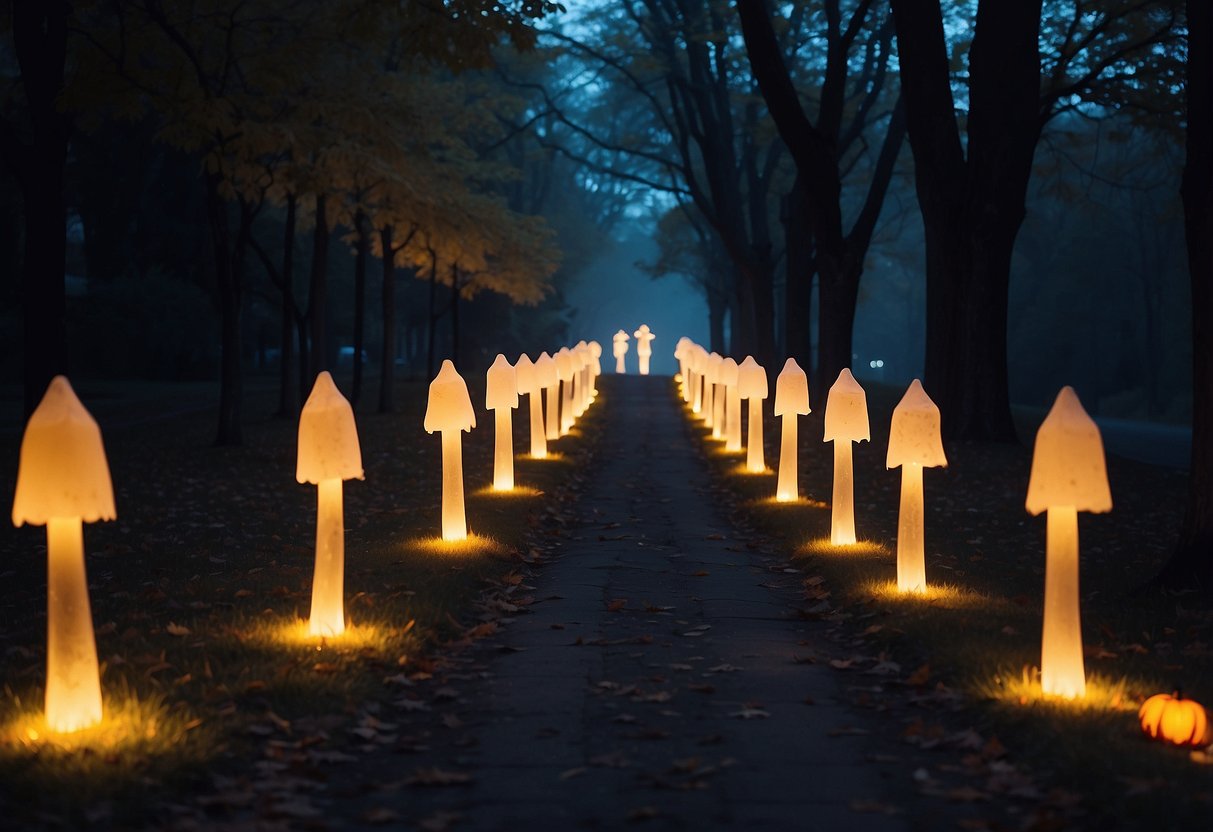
column 39, row 33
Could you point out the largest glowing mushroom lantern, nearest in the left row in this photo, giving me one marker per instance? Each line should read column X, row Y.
column 64, row 482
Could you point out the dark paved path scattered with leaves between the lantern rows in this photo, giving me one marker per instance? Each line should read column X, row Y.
column 657, row 679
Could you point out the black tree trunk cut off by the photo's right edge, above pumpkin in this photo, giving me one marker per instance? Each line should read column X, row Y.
column 1192, row 565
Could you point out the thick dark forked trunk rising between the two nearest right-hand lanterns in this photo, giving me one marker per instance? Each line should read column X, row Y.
column 972, row 210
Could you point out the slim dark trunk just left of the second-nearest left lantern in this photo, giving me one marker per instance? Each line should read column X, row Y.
column 231, row 379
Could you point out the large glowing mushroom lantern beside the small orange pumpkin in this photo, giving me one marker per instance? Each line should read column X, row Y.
column 1068, row 476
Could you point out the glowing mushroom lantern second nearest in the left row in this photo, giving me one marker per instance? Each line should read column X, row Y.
column 328, row 455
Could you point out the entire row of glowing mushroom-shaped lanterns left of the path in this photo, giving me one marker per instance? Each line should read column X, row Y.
column 64, row 481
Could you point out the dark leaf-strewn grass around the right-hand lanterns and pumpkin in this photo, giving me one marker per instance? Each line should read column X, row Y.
column 963, row 662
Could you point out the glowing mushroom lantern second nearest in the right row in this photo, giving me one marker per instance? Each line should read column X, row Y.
column 915, row 443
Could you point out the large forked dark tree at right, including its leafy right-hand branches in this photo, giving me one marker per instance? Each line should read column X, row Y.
column 972, row 191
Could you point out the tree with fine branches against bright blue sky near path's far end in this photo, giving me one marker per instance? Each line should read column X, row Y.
column 693, row 129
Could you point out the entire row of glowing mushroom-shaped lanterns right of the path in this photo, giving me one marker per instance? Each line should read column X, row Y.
column 1069, row 476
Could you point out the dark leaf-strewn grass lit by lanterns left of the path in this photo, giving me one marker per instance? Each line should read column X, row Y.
column 200, row 589
